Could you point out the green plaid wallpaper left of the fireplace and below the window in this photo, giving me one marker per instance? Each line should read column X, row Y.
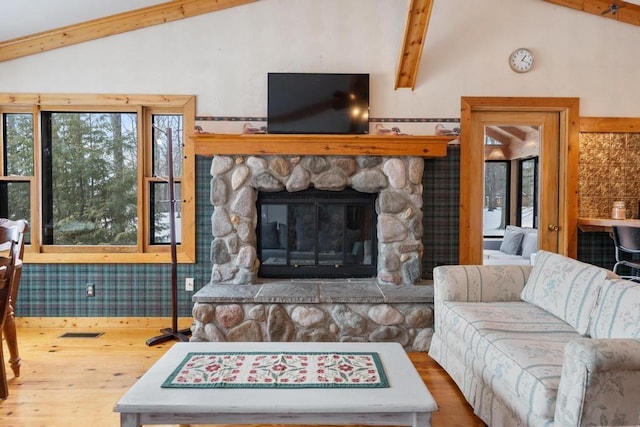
column 122, row 290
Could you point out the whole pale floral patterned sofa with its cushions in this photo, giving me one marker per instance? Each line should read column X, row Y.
column 556, row 344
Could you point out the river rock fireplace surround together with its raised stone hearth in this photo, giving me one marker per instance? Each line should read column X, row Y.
column 392, row 305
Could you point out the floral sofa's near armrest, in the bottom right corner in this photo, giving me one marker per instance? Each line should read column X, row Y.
column 600, row 383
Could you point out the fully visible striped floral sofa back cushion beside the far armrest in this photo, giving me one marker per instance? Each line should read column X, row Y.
column 564, row 287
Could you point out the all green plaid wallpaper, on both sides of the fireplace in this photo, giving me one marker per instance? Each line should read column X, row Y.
column 144, row 290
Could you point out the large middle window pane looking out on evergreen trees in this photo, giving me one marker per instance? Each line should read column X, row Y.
column 89, row 178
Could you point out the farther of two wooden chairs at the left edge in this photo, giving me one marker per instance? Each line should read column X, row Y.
column 9, row 328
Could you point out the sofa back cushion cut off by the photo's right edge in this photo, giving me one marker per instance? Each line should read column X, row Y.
column 617, row 313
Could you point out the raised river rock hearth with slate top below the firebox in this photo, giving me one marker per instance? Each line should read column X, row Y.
column 311, row 311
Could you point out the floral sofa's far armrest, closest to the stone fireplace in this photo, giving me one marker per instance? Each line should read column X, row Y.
column 479, row 283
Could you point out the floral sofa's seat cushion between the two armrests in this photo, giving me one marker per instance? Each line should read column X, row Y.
column 519, row 349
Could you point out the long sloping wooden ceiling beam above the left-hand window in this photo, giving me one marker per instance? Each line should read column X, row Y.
column 111, row 25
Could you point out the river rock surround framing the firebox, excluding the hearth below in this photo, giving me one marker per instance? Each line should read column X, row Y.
column 236, row 181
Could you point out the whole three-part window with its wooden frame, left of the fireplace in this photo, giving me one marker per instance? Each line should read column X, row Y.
column 92, row 179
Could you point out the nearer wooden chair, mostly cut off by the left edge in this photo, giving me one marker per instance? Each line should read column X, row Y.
column 9, row 237
